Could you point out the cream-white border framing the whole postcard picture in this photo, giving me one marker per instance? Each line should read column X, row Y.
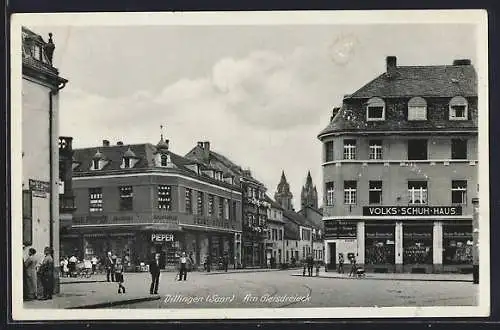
column 476, row 17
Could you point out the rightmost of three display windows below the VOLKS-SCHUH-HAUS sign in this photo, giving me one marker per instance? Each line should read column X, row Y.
column 457, row 245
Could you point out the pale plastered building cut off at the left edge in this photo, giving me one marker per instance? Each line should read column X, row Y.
column 40, row 153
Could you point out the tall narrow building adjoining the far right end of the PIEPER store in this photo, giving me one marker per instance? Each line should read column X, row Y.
column 254, row 207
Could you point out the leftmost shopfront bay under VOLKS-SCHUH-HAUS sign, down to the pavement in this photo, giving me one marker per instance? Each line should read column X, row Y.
column 380, row 246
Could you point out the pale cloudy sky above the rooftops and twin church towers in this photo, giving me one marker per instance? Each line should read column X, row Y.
column 259, row 94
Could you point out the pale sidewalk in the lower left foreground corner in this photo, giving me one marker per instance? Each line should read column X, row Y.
column 93, row 294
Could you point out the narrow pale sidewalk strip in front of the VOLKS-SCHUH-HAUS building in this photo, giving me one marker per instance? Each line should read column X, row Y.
column 397, row 276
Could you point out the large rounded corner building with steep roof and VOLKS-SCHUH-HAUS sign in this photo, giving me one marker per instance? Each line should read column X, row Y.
column 400, row 170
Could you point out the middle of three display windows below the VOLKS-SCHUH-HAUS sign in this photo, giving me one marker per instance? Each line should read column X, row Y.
column 417, row 244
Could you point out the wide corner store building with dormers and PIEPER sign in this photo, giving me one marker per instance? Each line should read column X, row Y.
column 140, row 199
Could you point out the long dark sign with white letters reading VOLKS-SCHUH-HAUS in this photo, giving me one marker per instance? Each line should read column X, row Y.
column 411, row 211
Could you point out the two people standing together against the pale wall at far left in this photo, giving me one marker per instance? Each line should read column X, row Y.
column 33, row 270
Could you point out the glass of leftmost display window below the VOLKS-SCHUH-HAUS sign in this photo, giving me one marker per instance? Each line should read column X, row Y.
column 379, row 245
